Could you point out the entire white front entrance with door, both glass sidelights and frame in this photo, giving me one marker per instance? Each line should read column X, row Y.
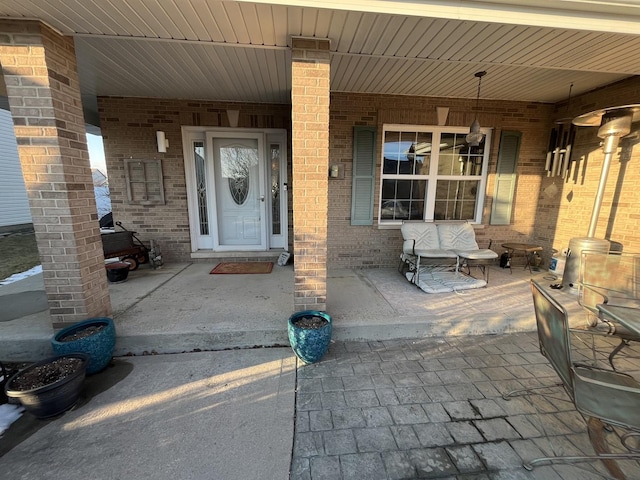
column 236, row 189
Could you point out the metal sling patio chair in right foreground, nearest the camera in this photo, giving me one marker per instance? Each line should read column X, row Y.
column 609, row 396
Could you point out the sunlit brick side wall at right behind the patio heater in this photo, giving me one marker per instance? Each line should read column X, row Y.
column 566, row 214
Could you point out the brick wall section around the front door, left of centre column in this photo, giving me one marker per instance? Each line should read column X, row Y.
column 129, row 128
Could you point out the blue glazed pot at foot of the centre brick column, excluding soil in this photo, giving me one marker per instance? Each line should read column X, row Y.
column 309, row 344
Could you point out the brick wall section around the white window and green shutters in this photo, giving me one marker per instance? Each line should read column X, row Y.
column 370, row 246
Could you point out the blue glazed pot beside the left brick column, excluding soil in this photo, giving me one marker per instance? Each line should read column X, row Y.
column 99, row 346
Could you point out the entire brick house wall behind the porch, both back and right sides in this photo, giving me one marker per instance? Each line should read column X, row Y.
column 129, row 127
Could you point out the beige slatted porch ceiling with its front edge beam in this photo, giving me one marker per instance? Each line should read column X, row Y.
column 239, row 50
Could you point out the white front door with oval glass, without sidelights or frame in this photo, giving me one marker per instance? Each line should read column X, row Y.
column 238, row 167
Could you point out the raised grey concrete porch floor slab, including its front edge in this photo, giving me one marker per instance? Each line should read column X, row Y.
column 182, row 308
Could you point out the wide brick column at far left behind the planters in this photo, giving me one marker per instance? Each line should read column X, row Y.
column 40, row 73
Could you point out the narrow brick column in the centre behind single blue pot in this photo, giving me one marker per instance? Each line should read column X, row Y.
column 310, row 152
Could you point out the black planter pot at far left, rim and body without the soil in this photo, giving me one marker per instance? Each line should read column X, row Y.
column 52, row 399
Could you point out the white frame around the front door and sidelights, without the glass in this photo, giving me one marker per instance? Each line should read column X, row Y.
column 191, row 134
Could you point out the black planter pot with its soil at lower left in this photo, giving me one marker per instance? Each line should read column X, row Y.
column 49, row 387
